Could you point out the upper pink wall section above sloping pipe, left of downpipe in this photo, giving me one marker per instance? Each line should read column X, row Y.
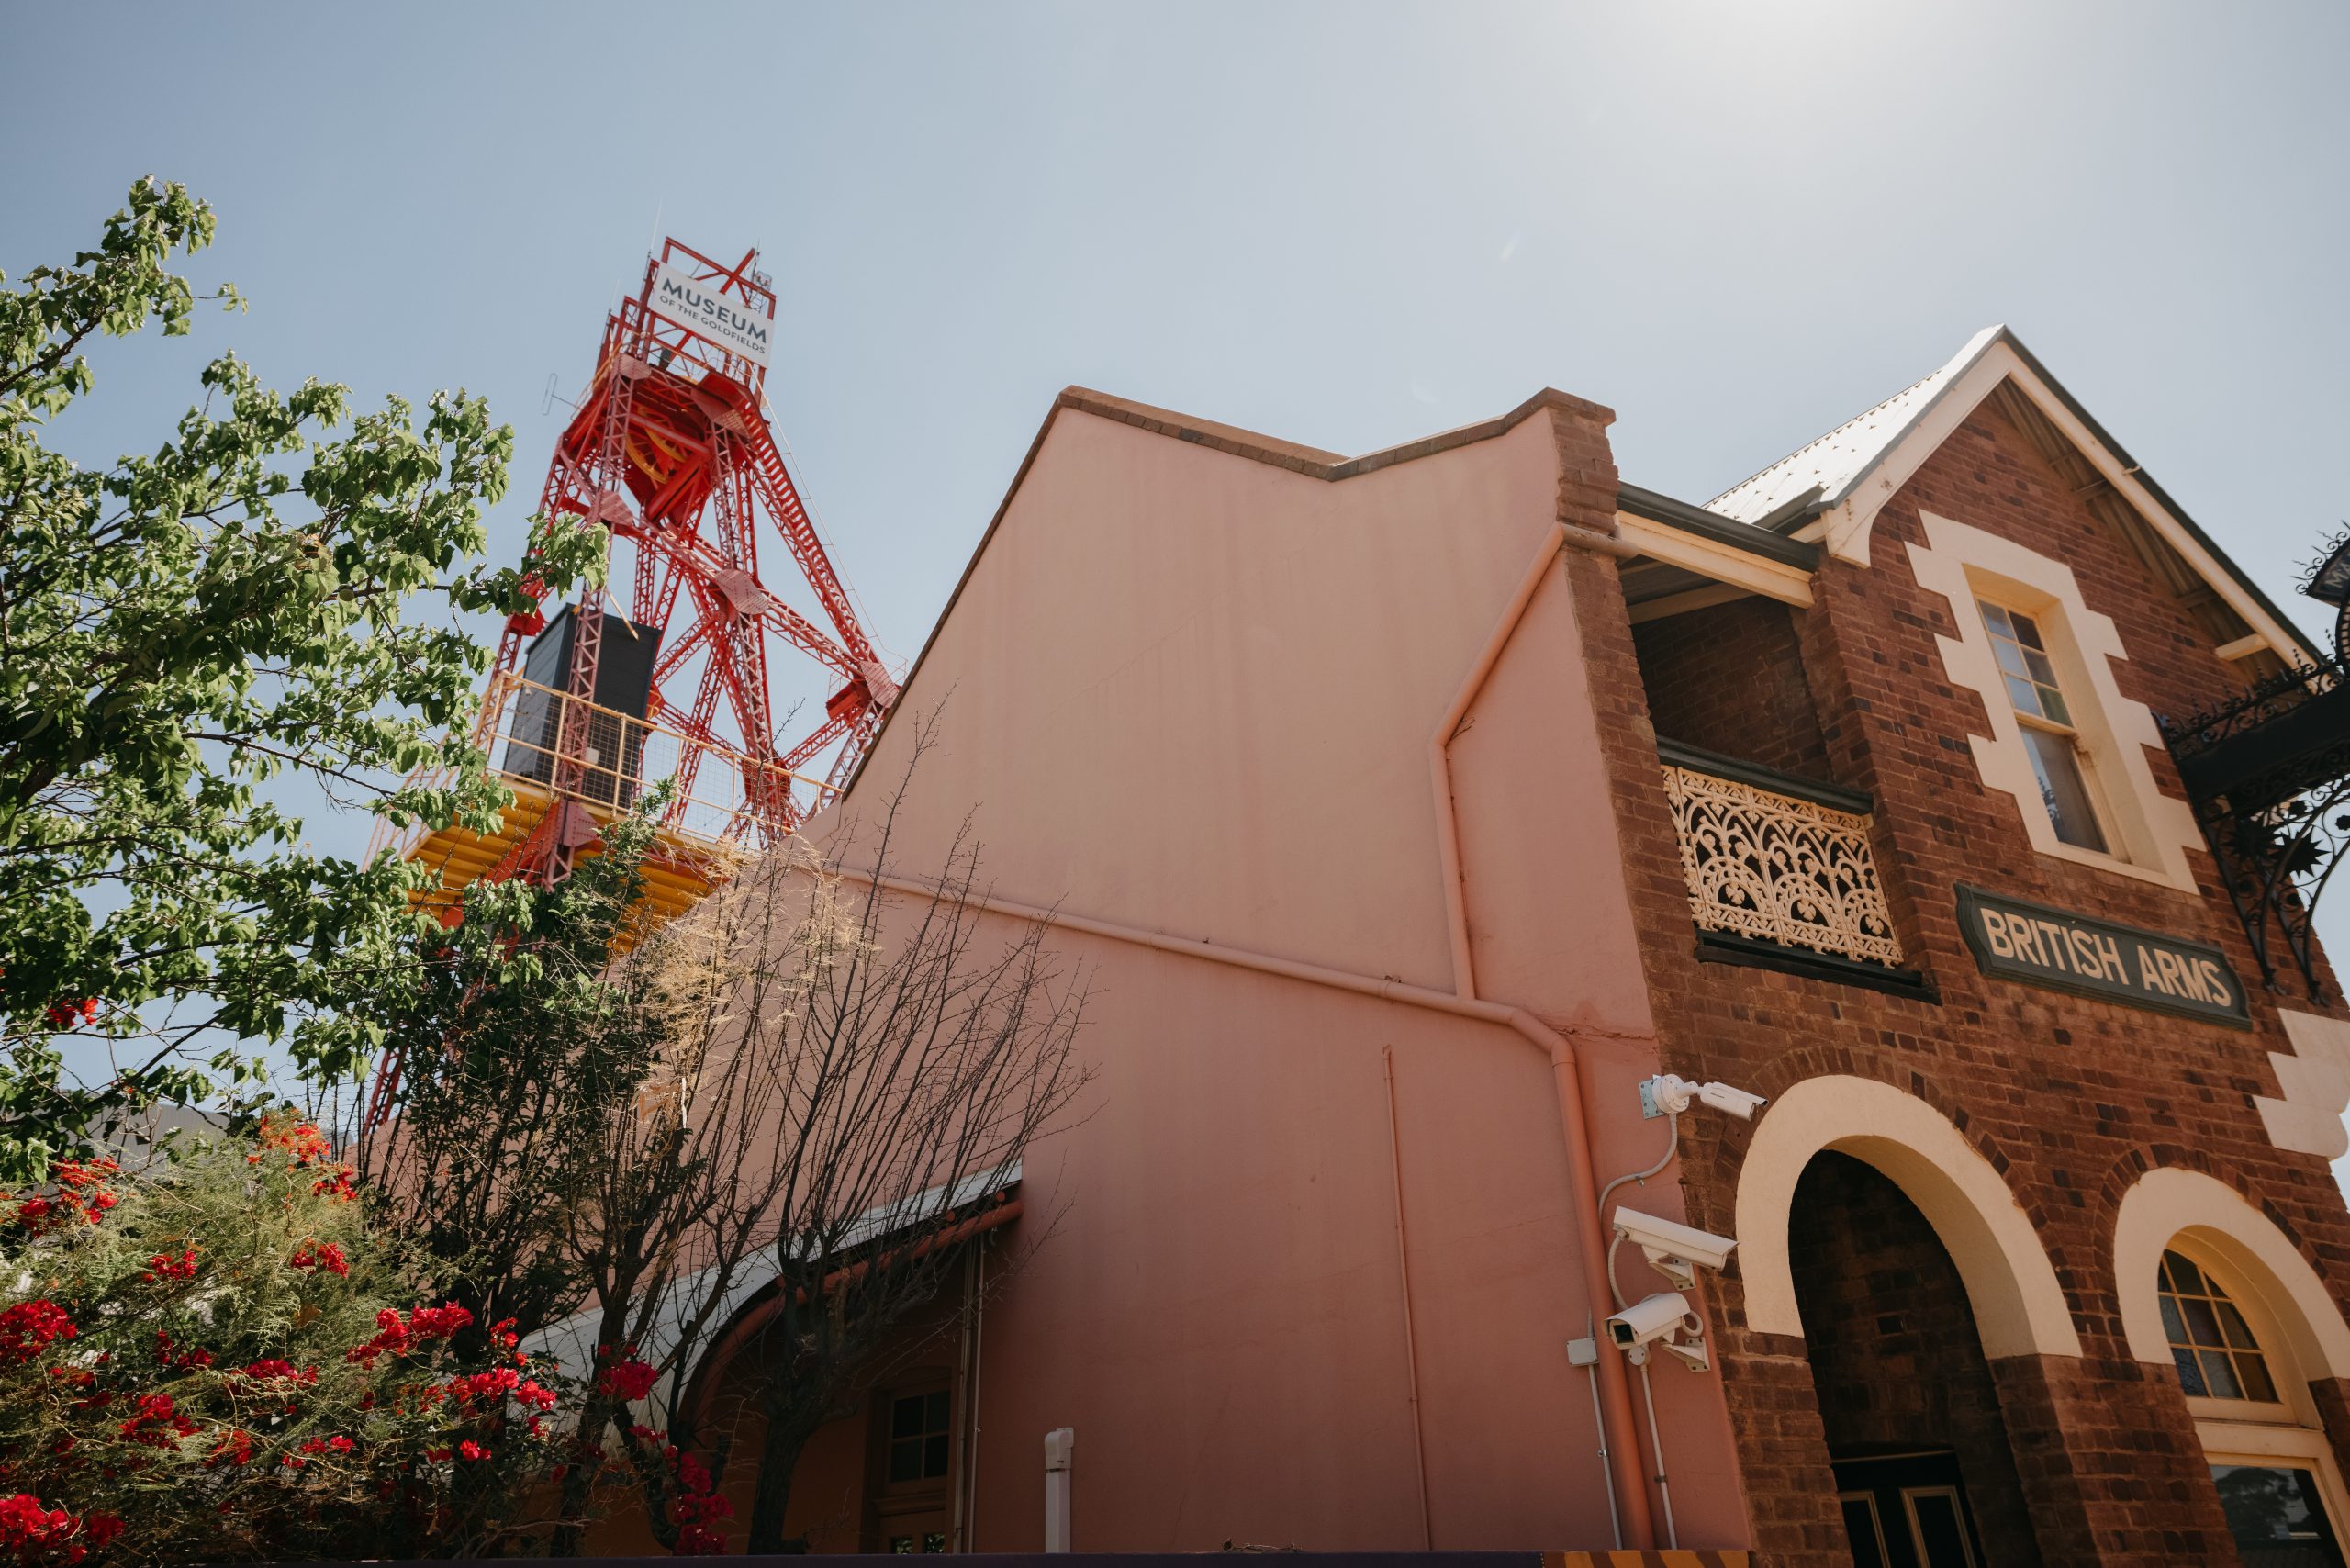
column 1195, row 692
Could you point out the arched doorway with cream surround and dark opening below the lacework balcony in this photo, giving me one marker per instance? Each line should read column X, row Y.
column 1881, row 1200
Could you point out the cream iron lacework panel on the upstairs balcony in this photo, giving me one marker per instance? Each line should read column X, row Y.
column 1778, row 869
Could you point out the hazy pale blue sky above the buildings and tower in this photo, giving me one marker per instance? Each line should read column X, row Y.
column 1343, row 225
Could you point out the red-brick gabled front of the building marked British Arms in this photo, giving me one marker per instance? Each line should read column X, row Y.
column 2109, row 1123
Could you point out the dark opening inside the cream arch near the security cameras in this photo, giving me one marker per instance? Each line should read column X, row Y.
column 1923, row 1470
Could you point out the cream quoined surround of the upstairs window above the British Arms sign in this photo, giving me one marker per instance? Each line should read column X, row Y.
column 2147, row 831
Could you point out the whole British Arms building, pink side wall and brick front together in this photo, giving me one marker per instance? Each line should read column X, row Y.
column 1421, row 817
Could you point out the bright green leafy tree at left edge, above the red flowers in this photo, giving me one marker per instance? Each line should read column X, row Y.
column 182, row 629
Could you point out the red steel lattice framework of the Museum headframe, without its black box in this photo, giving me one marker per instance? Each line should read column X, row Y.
column 671, row 450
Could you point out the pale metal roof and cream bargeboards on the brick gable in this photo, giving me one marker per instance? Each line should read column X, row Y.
column 1879, row 443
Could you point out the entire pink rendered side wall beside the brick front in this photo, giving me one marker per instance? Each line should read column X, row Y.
column 1193, row 692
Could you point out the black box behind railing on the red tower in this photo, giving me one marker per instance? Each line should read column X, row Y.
column 612, row 760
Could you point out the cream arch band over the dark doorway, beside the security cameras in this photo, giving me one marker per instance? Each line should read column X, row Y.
column 2020, row 1306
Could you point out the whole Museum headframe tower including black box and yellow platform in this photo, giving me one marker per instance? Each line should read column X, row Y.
column 673, row 455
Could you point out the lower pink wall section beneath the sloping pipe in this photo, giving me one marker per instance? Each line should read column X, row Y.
column 1221, row 1313
